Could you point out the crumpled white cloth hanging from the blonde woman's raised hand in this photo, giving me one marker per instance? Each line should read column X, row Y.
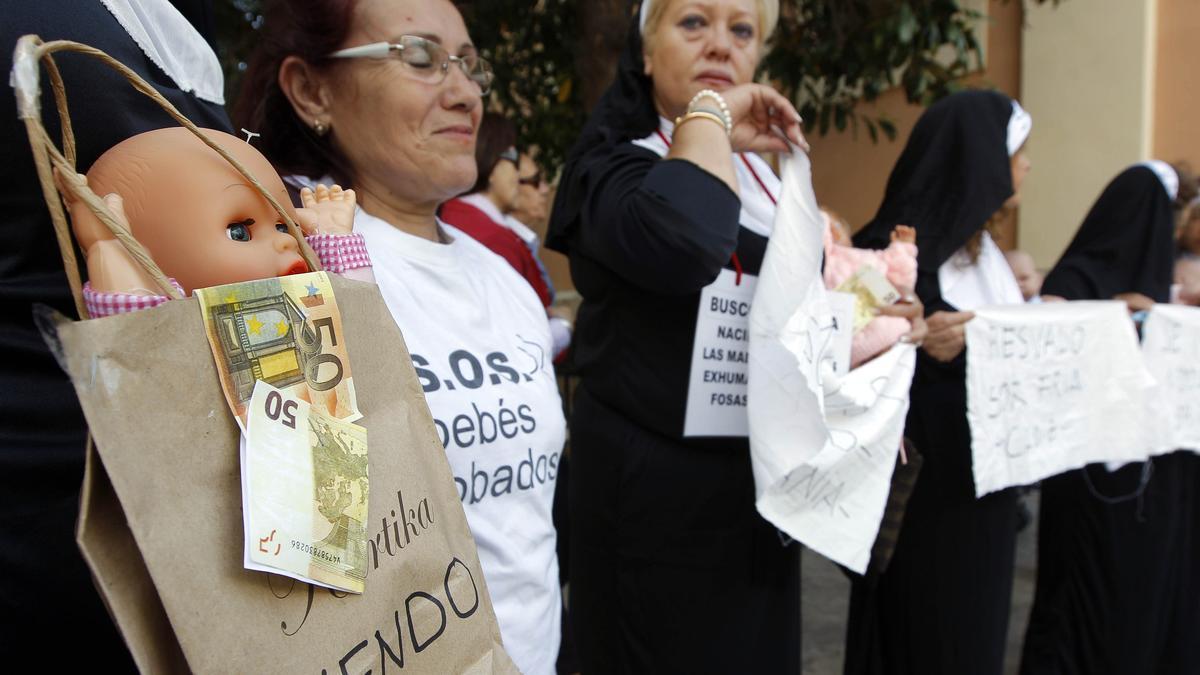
column 824, row 447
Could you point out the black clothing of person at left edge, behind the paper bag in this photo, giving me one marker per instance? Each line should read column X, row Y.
column 46, row 590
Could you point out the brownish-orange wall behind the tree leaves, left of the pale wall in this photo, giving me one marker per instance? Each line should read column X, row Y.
column 850, row 175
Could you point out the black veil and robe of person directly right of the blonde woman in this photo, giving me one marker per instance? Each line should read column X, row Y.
column 943, row 605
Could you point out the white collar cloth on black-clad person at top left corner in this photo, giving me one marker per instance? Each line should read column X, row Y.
column 173, row 45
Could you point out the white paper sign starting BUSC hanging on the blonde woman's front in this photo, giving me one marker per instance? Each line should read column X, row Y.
column 717, row 387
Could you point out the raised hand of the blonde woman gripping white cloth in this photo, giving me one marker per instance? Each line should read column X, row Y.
column 757, row 112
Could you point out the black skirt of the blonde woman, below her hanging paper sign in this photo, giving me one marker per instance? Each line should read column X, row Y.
column 673, row 569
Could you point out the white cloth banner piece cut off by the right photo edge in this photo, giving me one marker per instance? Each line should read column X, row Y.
column 1172, row 345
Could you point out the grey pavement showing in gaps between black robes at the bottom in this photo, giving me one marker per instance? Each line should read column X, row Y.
column 825, row 604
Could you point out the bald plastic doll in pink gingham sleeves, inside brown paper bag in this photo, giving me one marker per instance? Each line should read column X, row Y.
column 202, row 222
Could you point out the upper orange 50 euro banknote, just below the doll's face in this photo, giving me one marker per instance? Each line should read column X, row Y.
column 286, row 332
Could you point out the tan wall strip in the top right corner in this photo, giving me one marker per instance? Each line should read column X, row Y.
column 1177, row 134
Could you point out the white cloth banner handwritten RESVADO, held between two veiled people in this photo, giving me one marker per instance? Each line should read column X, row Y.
column 1055, row 387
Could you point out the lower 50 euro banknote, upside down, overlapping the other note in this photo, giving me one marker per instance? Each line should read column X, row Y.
column 305, row 493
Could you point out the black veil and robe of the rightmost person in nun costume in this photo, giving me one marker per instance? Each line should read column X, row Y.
column 1117, row 587
